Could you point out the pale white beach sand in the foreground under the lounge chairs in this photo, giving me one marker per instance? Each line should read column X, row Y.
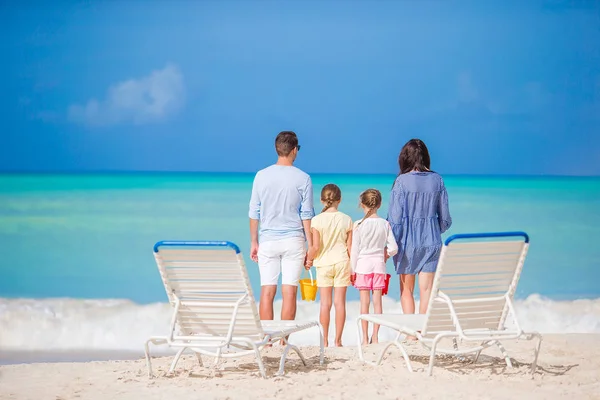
column 569, row 366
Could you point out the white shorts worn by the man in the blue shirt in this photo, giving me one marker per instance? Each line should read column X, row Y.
column 285, row 257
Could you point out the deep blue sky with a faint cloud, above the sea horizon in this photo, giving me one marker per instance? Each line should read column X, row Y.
column 492, row 87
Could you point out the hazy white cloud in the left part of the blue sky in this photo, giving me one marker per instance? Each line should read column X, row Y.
column 140, row 101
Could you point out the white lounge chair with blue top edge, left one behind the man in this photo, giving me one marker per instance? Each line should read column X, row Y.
column 214, row 310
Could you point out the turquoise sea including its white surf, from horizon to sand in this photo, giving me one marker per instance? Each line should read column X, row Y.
column 68, row 238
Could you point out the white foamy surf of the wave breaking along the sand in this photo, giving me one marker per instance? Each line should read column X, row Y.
column 31, row 325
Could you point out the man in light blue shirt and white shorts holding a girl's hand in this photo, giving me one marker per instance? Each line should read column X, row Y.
column 282, row 200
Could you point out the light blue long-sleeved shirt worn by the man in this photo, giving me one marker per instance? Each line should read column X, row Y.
column 282, row 198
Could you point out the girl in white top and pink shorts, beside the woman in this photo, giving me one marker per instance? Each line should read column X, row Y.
column 372, row 243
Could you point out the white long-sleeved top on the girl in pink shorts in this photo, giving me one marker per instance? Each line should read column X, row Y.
column 369, row 240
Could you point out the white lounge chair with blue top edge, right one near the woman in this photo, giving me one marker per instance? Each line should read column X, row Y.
column 471, row 300
